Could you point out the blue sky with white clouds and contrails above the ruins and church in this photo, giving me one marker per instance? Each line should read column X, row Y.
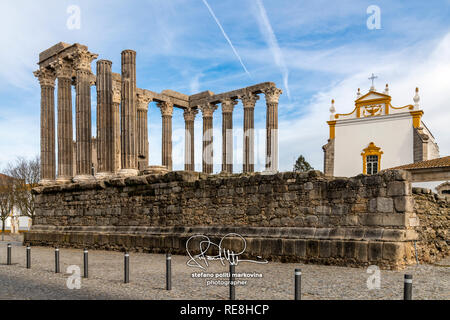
column 314, row 50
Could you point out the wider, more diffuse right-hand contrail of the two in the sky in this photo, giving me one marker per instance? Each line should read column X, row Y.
column 272, row 42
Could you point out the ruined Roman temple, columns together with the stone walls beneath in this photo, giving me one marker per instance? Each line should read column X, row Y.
column 103, row 194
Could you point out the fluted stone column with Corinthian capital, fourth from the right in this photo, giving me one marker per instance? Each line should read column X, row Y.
column 208, row 153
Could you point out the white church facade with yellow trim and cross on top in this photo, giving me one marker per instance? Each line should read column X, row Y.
column 376, row 135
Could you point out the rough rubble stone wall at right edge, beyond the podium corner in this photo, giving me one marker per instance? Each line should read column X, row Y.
column 433, row 212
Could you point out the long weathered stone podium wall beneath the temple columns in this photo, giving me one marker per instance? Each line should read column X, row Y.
column 287, row 216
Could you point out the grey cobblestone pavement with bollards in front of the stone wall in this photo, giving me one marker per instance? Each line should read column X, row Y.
column 147, row 279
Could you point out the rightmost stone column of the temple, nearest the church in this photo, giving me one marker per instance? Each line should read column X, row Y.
column 272, row 95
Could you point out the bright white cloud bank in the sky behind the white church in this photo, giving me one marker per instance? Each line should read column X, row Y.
column 414, row 66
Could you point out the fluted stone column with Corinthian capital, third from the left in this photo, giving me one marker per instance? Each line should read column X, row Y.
column 82, row 64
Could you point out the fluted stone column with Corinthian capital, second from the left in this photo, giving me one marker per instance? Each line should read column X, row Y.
column 64, row 73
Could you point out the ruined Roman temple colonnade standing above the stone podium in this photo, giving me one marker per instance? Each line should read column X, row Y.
column 121, row 144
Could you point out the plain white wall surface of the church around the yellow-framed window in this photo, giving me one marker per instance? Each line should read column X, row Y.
column 392, row 133
